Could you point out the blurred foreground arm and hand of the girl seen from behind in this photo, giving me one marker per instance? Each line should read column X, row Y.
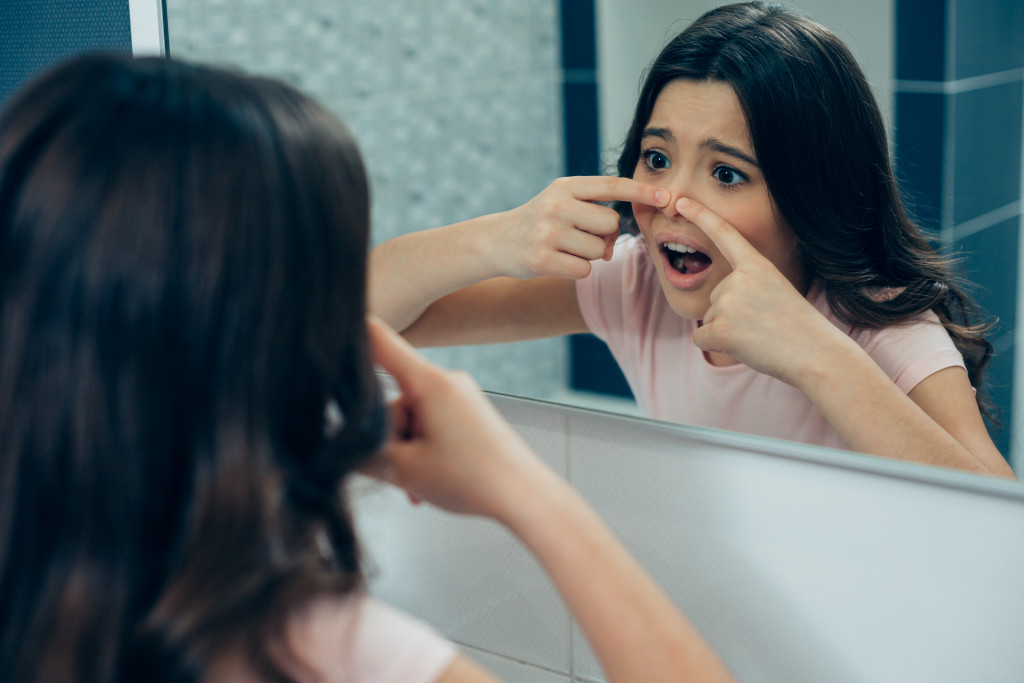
column 455, row 451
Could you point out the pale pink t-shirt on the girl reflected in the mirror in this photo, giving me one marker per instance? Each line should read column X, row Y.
column 623, row 305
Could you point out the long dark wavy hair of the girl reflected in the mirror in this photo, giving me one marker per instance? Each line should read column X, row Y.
column 822, row 145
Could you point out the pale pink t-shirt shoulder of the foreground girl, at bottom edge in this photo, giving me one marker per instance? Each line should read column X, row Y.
column 361, row 641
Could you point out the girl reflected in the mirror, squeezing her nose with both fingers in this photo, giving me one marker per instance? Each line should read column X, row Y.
column 777, row 286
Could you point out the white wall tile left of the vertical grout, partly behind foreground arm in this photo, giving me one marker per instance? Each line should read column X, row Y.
column 468, row 577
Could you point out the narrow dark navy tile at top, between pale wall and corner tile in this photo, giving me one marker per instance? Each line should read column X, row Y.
column 921, row 40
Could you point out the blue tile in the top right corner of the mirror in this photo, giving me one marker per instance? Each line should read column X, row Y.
column 989, row 37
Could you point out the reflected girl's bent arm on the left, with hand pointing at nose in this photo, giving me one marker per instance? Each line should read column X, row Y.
column 503, row 277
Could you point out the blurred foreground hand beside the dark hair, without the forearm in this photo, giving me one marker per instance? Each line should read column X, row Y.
column 451, row 447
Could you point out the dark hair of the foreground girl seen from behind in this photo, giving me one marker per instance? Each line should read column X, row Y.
column 183, row 269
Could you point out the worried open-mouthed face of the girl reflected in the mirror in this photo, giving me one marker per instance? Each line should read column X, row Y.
column 697, row 145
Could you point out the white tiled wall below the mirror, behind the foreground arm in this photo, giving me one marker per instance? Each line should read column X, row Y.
column 797, row 564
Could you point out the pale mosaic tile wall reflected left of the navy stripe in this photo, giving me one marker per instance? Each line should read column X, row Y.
column 456, row 105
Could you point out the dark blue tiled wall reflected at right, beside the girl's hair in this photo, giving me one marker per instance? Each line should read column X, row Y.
column 960, row 115
